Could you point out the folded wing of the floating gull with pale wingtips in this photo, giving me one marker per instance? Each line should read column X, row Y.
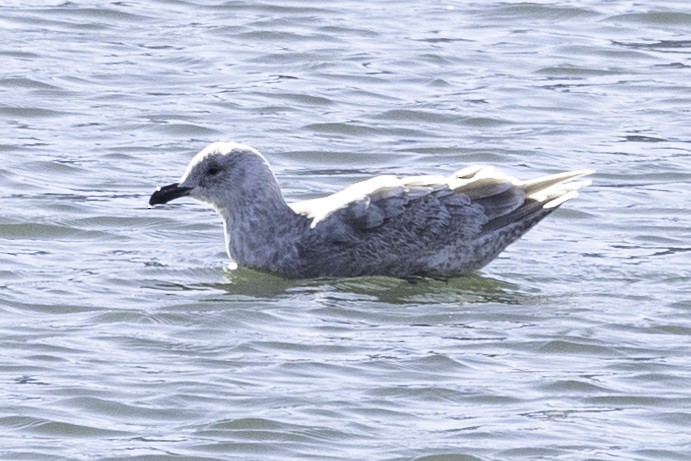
column 478, row 197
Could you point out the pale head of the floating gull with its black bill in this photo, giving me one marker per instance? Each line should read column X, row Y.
column 224, row 174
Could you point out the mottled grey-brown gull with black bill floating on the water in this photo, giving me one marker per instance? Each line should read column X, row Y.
column 437, row 226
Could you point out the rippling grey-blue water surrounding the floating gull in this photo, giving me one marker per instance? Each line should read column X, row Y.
column 122, row 337
